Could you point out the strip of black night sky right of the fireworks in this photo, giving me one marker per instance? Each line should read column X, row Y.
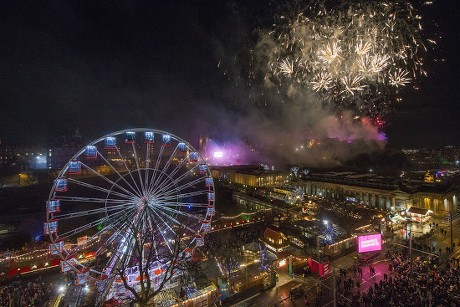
column 430, row 116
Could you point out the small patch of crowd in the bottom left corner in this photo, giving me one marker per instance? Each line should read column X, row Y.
column 25, row 294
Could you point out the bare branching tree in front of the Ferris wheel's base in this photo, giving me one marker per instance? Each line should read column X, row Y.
column 154, row 260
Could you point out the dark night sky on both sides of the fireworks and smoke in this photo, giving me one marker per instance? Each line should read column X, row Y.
column 104, row 66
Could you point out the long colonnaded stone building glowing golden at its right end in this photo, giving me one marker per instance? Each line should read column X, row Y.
column 384, row 193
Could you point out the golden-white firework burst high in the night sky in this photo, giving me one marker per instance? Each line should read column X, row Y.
column 355, row 54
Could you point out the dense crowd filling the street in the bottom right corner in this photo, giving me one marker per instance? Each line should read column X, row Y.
column 422, row 282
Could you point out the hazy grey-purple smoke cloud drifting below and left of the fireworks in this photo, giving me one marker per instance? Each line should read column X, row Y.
column 281, row 124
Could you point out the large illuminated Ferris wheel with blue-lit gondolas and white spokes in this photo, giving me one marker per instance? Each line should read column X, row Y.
column 141, row 179
